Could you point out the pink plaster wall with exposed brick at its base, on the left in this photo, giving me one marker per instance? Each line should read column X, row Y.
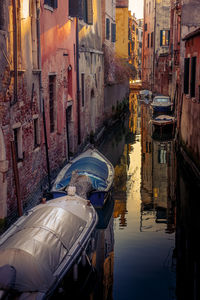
column 58, row 44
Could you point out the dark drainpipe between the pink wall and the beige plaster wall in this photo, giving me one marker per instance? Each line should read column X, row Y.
column 77, row 81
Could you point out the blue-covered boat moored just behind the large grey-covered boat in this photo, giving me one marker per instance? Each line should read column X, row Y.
column 92, row 174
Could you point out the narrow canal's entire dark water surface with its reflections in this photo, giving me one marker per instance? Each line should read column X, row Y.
column 145, row 245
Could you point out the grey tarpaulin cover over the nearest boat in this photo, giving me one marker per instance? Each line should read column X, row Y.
column 38, row 246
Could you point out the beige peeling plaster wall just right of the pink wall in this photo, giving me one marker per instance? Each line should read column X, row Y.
column 91, row 64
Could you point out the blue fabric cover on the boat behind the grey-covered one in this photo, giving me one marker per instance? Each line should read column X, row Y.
column 92, row 167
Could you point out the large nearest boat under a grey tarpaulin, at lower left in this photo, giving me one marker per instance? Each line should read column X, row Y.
column 42, row 246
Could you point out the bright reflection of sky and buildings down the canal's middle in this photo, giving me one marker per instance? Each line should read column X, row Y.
column 143, row 265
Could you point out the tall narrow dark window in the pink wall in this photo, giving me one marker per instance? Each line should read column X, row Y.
column 52, row 96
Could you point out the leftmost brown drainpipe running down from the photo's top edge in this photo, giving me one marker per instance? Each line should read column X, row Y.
column 15, row 49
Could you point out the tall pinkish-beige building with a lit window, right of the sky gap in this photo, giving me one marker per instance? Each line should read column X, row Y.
column 156, row 37
